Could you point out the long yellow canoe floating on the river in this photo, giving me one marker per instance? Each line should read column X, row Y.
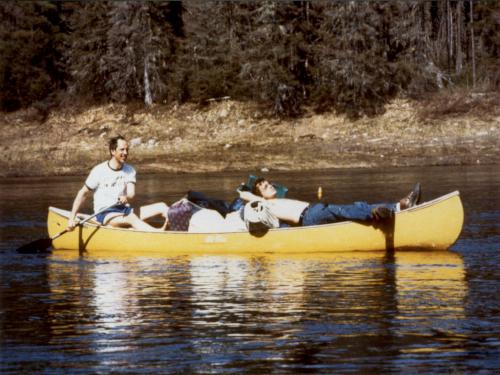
column 431, row 225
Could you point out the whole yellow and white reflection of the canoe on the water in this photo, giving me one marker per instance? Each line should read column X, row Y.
column 288, row 307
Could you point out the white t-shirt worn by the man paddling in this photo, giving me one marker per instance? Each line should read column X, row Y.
column 108, row 184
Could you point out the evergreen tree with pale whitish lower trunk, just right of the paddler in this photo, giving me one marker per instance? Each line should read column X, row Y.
column 139, row 49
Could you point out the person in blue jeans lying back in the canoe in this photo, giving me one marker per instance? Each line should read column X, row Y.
column 298, row 212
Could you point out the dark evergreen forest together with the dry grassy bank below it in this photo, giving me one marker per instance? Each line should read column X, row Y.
column 218, row 85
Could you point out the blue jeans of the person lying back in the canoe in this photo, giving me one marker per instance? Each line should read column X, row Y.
column 320, row 213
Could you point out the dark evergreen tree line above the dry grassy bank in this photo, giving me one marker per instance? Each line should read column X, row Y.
column 348, row 56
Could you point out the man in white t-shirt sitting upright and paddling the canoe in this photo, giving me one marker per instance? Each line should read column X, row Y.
column 112, row 181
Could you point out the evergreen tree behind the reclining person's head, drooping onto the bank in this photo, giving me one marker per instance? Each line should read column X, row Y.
column 278, row 48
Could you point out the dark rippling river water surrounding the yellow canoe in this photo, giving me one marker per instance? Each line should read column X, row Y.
column 408, row 312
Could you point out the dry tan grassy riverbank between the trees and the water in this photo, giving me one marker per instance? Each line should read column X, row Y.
column 227, row 135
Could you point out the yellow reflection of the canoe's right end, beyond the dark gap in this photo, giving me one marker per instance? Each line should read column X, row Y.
column 431, row 293
